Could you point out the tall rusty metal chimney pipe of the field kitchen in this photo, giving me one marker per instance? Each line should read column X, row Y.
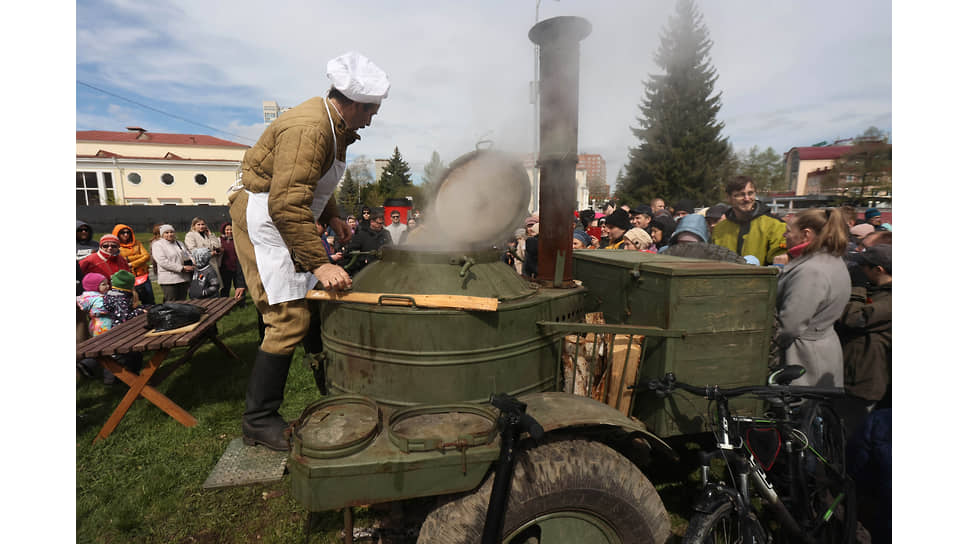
column 557, row 39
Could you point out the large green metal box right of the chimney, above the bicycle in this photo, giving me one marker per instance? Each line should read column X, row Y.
column 724, row 310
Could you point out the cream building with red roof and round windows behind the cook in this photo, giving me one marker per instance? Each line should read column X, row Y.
column 142, row 167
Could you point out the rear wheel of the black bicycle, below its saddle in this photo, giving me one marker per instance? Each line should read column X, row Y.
column 828, row 492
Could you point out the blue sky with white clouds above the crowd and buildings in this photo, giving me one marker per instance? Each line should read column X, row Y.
column 791, row 73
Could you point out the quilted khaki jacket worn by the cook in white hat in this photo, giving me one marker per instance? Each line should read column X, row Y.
column 287, row 161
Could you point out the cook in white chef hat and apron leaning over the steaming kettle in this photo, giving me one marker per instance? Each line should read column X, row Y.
column 288, row 180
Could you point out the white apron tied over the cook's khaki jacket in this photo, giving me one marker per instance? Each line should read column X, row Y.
column 278, row 273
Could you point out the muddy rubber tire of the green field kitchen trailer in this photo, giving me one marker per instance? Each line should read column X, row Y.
column 553, row 477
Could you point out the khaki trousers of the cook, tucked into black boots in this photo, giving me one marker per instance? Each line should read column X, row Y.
column 286, row 322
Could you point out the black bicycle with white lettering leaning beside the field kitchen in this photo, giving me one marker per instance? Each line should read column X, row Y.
column 794, row 455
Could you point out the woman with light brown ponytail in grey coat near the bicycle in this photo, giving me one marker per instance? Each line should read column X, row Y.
column 812, row 292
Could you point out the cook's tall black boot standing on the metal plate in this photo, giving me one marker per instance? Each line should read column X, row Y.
column 261, row 422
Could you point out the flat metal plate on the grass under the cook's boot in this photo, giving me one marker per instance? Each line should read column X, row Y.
column 246, row 465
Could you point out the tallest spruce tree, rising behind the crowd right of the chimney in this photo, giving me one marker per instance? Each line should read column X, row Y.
column 681, row 151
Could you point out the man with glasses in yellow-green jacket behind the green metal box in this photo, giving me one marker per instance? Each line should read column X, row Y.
column 747, row 228
